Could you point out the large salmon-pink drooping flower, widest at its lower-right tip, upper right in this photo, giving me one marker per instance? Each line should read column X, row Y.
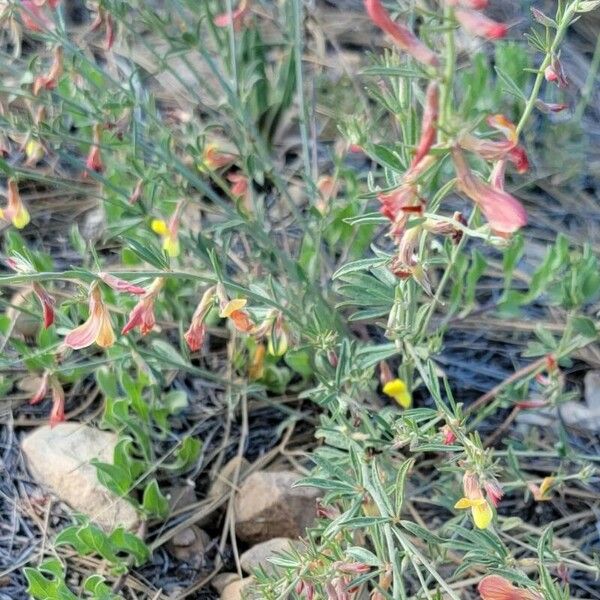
column 504, row 213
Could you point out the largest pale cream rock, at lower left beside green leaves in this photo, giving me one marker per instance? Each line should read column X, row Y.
column 59, row 459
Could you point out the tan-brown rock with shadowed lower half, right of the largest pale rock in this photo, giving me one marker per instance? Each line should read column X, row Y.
column 266, row 506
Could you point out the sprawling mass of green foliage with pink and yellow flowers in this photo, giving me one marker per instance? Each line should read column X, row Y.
column 231, row 262
